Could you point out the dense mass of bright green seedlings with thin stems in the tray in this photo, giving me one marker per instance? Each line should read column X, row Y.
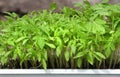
column 88, row 36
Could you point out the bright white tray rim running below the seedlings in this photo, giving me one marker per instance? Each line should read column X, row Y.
column 60, row 71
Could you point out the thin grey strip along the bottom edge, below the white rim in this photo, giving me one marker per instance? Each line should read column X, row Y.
column 47, row 75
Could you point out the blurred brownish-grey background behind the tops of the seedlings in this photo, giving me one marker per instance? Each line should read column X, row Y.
column 24, row 6
